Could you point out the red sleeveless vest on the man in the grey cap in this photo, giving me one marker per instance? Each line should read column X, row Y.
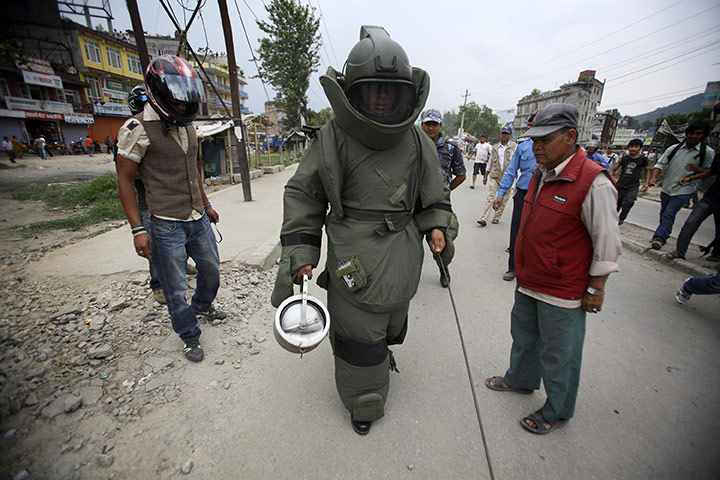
column 553, row 250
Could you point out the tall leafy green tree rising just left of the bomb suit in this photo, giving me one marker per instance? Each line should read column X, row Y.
column 288, row 55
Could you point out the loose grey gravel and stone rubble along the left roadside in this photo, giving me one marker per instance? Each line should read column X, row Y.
column 102, row 352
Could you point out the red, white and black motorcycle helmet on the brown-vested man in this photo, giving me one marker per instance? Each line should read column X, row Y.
column 171, row 80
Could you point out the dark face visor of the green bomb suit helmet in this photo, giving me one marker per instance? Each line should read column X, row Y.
column 384, row 101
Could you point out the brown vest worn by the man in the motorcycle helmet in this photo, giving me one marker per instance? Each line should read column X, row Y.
column 169, row 174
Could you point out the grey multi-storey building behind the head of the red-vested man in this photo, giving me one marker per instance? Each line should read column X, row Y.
column 585, row 94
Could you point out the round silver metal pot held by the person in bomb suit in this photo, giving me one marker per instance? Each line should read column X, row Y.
column 301, row 322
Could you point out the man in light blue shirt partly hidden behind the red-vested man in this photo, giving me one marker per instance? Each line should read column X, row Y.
column 524, row 162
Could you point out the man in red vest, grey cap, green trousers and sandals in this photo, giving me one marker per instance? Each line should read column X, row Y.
column 567, row 246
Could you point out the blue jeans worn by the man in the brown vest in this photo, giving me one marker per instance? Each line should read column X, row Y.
column 172, row 242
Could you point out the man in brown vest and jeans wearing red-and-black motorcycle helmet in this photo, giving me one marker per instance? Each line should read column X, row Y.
column 160, row 144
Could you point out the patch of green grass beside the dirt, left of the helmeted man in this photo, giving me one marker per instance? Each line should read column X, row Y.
column 96, row 201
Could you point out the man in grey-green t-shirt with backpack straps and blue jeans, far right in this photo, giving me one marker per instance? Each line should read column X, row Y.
column 683, row 160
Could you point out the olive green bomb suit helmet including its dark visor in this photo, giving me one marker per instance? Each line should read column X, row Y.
column 379, row 78
